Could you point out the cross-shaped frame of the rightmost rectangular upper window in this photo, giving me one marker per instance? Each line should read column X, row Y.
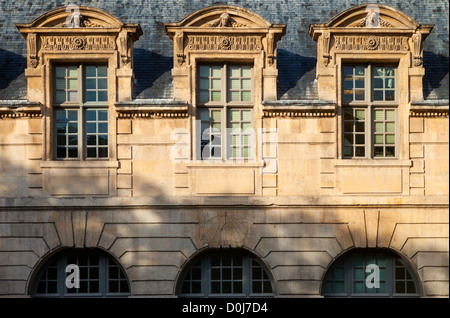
column 370, row 105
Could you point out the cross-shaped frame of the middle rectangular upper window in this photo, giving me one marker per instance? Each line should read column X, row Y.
column 226, row 106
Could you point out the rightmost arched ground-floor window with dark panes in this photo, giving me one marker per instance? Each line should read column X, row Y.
column 370, row 273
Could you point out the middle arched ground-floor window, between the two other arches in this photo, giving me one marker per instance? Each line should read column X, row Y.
column 225, row 273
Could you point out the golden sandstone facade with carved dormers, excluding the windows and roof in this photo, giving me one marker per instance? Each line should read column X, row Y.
column 155, row 206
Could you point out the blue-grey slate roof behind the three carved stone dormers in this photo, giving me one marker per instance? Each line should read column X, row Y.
column 153, row 51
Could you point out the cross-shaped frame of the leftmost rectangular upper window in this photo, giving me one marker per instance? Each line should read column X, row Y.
column 81, row 106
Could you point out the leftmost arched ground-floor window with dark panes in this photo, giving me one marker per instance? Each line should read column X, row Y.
column 81, row 273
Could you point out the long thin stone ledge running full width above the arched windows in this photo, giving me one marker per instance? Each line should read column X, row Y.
column 244, row 202
